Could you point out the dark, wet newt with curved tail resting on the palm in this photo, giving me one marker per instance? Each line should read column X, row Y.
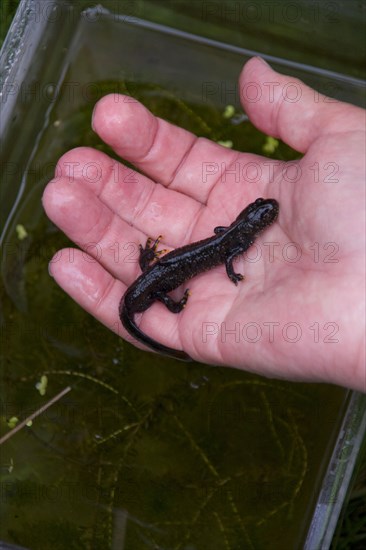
column 161, row 275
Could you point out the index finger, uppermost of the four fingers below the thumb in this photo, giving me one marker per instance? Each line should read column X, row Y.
column 166, row 153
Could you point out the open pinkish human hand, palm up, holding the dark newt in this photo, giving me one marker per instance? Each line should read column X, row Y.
column 94, row 199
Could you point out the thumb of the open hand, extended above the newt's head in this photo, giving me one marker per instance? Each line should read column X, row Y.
column 284, row 107
